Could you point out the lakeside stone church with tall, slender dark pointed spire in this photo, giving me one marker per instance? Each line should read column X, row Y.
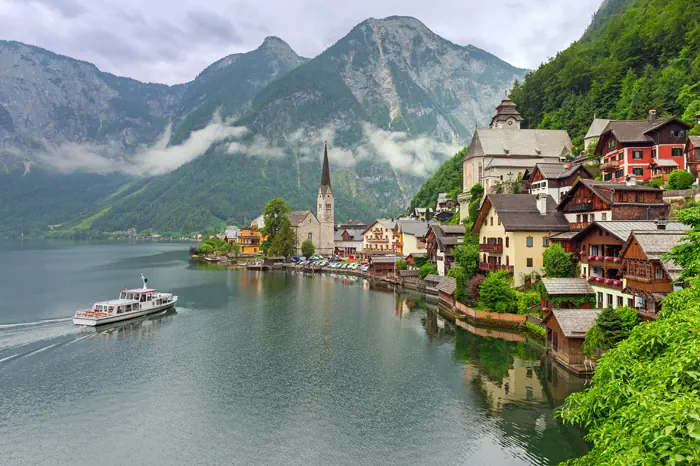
column 318, row 228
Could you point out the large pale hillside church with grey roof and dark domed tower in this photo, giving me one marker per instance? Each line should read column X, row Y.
column 504, row 151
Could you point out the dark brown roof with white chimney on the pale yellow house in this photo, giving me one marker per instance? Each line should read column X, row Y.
column 518, row 212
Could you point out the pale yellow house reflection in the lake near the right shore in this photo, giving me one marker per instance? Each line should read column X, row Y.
column 521, row 384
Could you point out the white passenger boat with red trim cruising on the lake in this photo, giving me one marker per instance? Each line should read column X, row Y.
column 131, row 304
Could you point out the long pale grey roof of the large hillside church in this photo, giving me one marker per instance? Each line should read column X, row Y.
column 501, row 142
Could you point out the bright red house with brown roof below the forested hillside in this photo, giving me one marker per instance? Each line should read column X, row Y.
column 628, row 147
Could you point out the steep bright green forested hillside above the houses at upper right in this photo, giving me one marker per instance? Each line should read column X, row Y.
column 635, row 56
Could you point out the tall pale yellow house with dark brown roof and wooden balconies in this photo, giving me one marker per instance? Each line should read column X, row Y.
column 513, row 232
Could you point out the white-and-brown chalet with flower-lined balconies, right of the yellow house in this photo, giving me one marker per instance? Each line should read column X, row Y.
column 600, row 250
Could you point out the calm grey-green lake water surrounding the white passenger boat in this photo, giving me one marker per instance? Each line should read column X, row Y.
column 274, row 369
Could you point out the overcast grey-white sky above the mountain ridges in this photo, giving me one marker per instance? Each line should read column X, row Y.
column 171, row 41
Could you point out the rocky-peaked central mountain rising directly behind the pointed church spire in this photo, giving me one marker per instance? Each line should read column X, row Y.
column 394, row 99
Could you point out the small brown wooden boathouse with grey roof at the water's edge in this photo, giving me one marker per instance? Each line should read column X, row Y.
column 566, row 330
